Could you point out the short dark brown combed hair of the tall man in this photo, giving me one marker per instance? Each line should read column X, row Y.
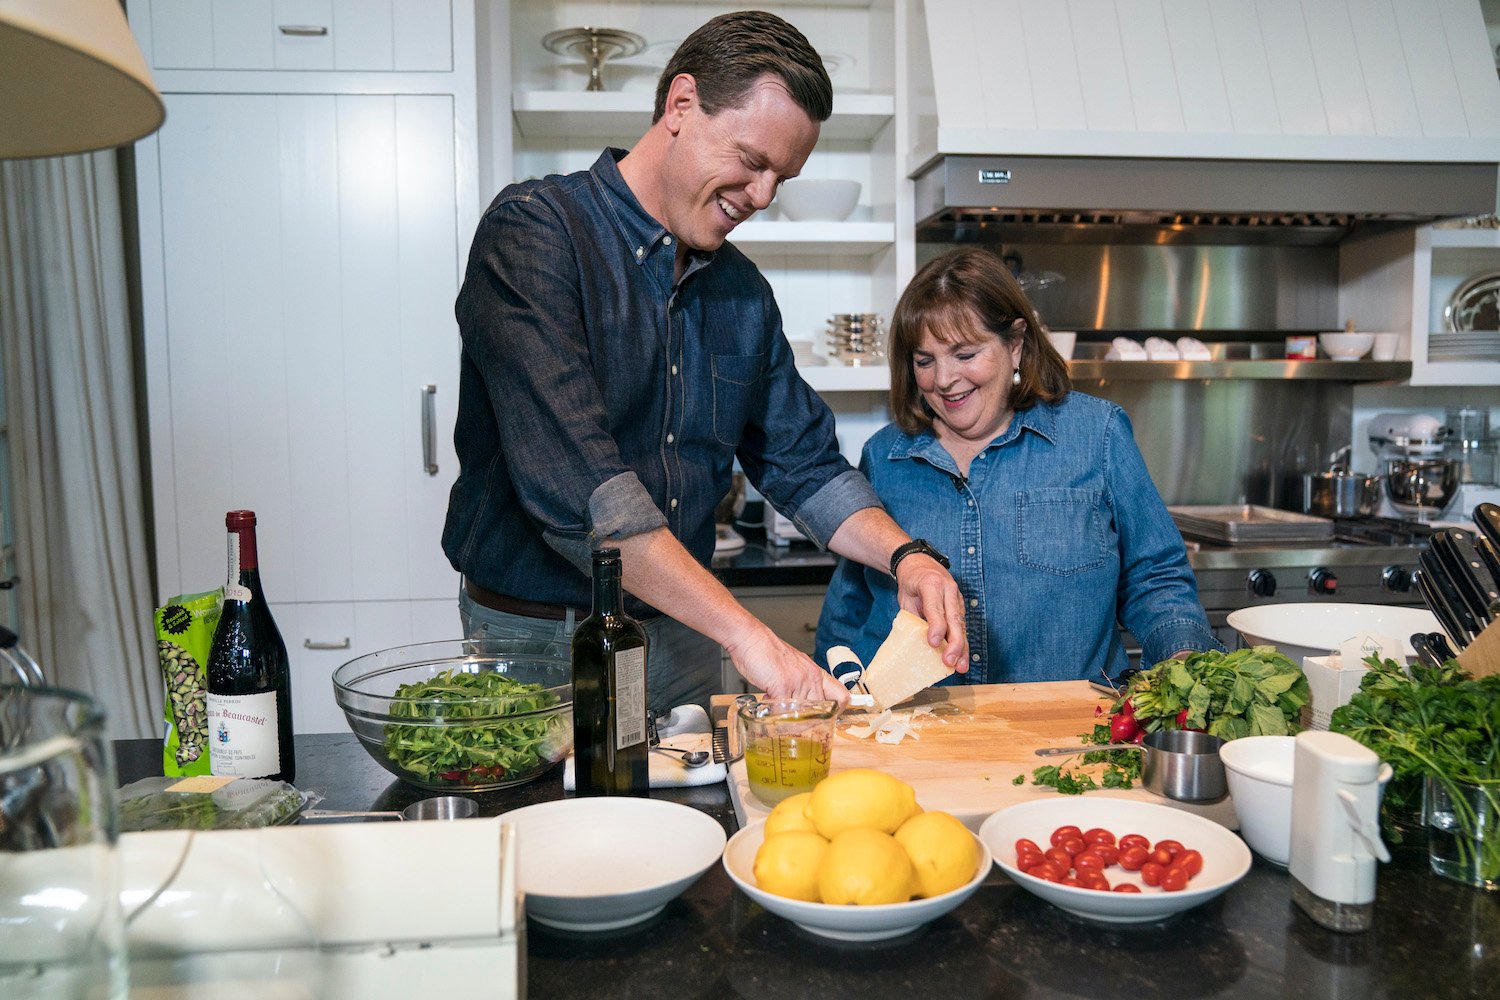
column 734, row 50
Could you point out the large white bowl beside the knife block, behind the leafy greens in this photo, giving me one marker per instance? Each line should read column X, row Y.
column 1315, row 630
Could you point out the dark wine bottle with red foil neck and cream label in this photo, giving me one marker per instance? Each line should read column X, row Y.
column 250, row 677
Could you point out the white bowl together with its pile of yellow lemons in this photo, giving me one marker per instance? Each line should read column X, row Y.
column 887, row 869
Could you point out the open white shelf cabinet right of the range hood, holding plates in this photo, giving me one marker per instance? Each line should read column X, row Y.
column 1402, row 281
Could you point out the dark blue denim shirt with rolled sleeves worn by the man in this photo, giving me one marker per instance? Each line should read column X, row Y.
column 599, row 401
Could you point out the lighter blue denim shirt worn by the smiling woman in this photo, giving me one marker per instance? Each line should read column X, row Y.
column 1057, row 534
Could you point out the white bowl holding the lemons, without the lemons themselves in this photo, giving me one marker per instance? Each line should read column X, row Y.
column 844, row 923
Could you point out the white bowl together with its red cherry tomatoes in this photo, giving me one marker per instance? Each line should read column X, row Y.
column 1115, row 860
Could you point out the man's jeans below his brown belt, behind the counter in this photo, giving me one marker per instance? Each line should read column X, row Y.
column 682, row 665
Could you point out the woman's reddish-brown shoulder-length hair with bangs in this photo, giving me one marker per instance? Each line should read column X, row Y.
column 947, row 299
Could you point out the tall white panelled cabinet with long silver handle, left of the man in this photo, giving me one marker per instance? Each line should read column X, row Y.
column 302, row 242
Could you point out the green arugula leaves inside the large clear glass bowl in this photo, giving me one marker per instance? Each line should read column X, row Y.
column 440, row 747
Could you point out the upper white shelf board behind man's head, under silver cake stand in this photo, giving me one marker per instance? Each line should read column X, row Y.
column 610, row 115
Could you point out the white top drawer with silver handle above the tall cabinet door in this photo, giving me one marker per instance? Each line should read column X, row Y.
column 304, row 35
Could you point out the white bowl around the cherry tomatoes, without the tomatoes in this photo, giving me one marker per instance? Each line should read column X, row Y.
column 1226, row 860
